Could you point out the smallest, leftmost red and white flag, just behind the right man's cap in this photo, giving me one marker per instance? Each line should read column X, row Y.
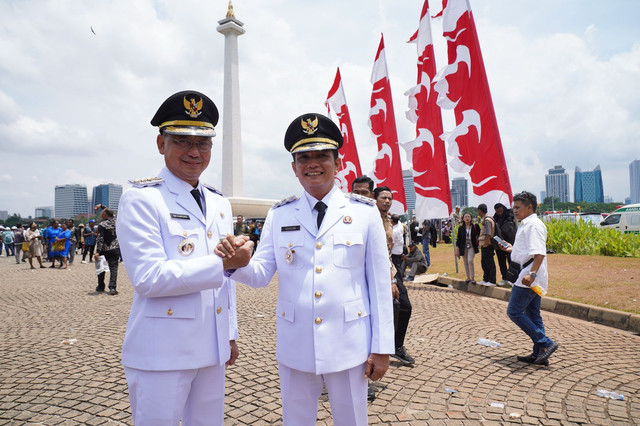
column 350, row 168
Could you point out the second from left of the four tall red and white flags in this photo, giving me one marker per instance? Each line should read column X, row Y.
column 387, row 169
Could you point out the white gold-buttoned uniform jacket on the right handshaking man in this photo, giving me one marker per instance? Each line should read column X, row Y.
column 334, row 303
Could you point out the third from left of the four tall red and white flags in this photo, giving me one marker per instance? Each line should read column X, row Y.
column 427, row 151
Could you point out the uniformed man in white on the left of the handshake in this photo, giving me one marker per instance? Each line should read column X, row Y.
column 182, row 326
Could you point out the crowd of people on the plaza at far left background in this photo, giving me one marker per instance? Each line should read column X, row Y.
column 62, row 240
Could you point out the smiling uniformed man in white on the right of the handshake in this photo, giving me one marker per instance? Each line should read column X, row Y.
column 334, row 310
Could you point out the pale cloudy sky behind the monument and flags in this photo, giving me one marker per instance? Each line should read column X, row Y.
column 75, row 107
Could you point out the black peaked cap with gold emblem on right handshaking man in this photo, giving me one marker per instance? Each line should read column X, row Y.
column 312, row 132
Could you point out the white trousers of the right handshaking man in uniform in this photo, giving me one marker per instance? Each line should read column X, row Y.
column 300, row 392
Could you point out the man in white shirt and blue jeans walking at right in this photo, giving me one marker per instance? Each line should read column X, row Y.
column 529, row 250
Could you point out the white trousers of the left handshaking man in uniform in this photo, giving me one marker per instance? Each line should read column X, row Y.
column 161, row 398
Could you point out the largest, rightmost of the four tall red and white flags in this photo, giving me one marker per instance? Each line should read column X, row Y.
column 462, row 86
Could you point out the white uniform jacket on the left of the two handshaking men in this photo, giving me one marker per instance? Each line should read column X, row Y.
column 184, row 311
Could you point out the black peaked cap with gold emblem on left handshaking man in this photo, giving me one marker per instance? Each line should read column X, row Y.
column 187, row 113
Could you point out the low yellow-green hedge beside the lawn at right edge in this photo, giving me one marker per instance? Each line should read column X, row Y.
column 584, row 238
